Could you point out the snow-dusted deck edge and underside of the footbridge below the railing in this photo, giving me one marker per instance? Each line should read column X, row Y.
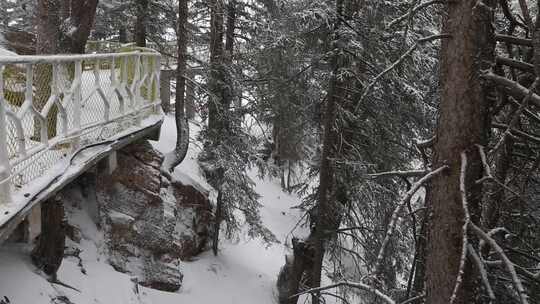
column 29, row 199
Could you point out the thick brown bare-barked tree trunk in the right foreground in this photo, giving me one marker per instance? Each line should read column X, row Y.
column 463, row 123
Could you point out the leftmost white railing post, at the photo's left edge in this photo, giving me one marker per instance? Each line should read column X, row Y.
column 5, row 168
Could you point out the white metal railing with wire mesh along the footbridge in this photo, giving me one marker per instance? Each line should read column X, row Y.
column 50, row 106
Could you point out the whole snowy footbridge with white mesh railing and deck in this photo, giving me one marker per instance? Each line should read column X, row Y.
column 62, row 114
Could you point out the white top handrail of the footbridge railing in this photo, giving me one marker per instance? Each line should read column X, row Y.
column 34, row 59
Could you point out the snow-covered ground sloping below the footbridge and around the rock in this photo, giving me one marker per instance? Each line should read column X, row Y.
column 243, row 273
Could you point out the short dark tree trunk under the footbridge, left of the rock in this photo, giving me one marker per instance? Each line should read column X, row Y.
column 49, row 251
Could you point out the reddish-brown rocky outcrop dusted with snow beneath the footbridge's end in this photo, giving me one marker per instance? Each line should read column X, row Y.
column 150, row 223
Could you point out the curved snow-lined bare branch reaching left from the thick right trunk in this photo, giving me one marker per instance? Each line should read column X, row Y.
column 397, row 211
